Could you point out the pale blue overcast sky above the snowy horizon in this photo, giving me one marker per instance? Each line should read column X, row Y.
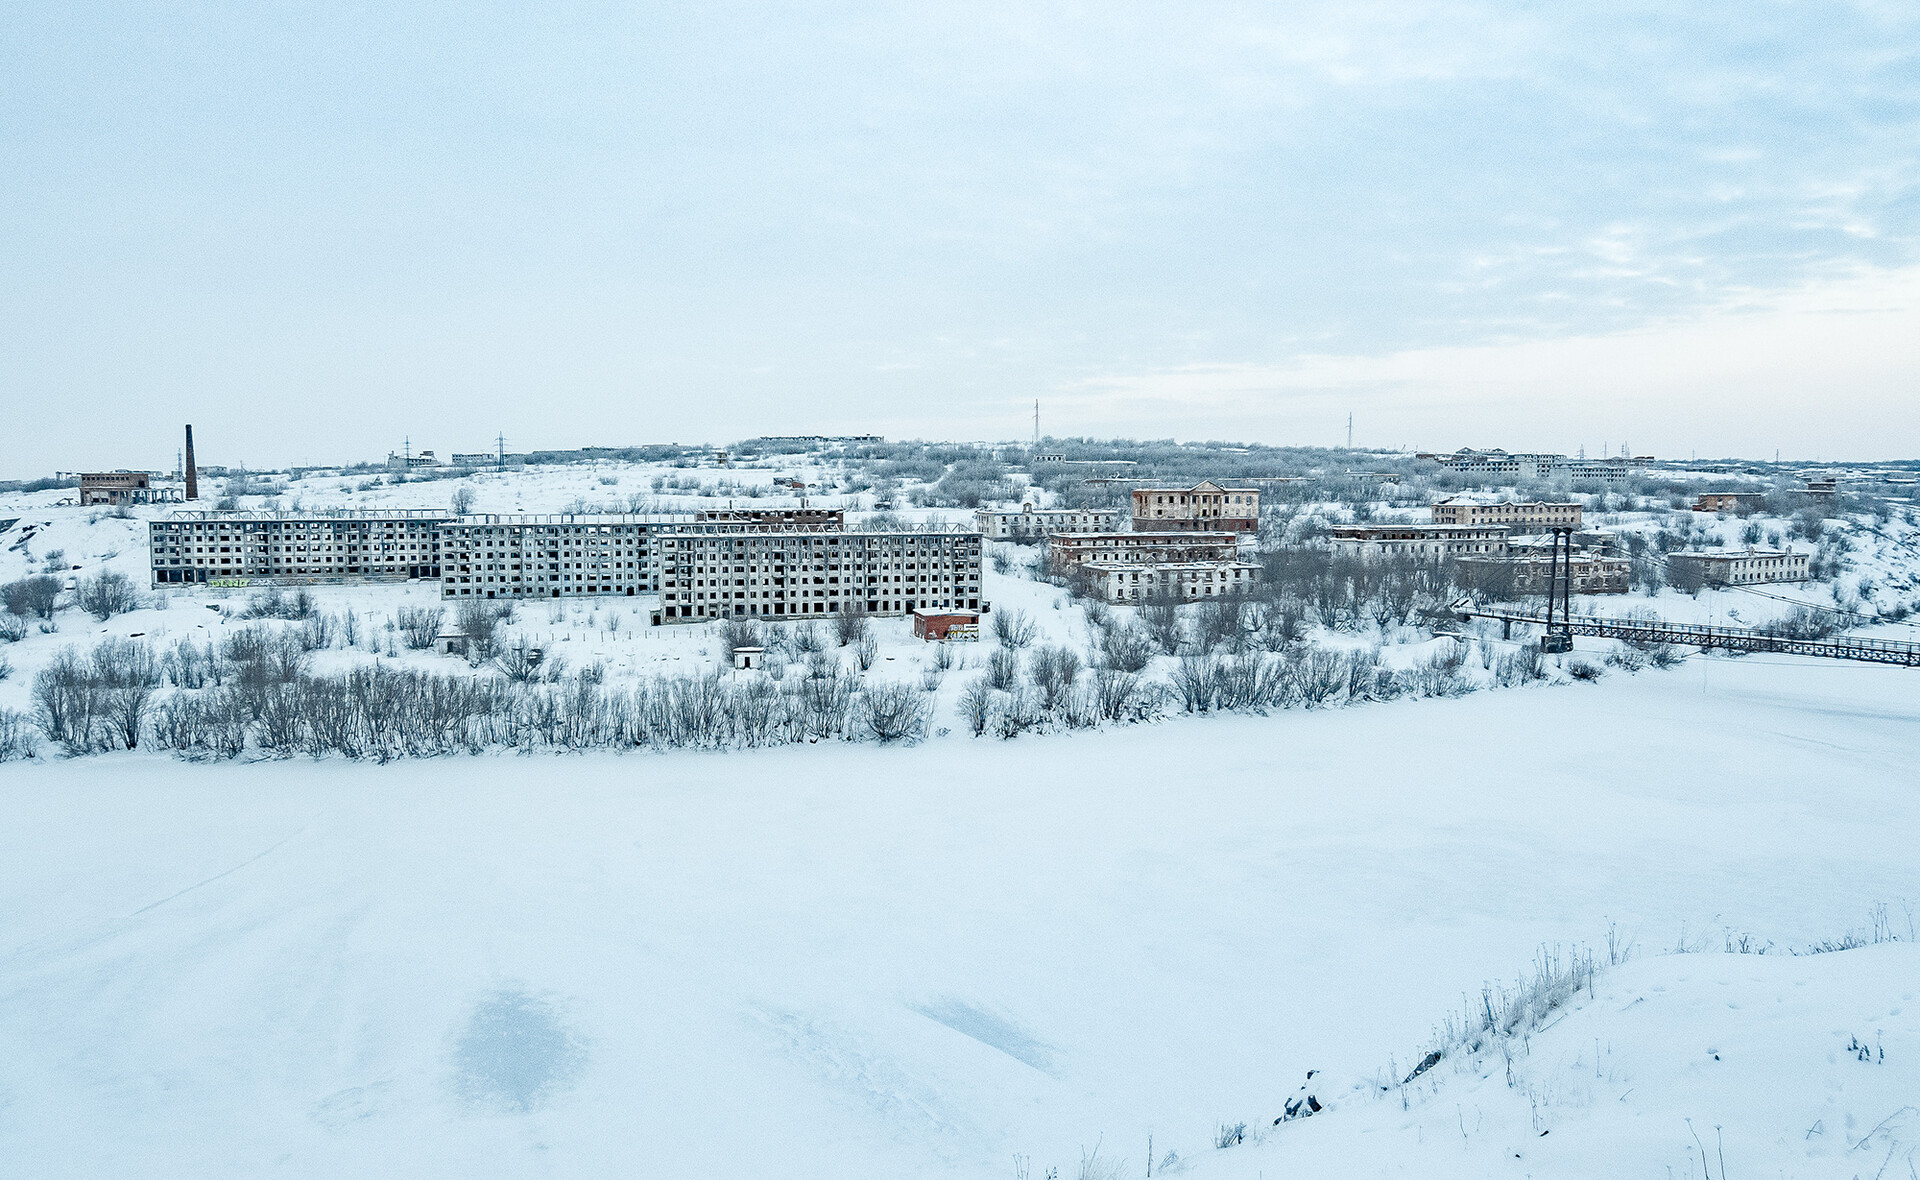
column 320, row 231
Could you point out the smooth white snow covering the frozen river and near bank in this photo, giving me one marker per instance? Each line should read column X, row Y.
column 928, row 962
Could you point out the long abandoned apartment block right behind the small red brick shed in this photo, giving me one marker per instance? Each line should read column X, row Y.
column 807, row 575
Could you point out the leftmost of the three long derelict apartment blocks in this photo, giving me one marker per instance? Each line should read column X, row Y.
column 295, row 548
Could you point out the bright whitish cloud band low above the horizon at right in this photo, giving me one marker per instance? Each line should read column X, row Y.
column 1825, row 369
